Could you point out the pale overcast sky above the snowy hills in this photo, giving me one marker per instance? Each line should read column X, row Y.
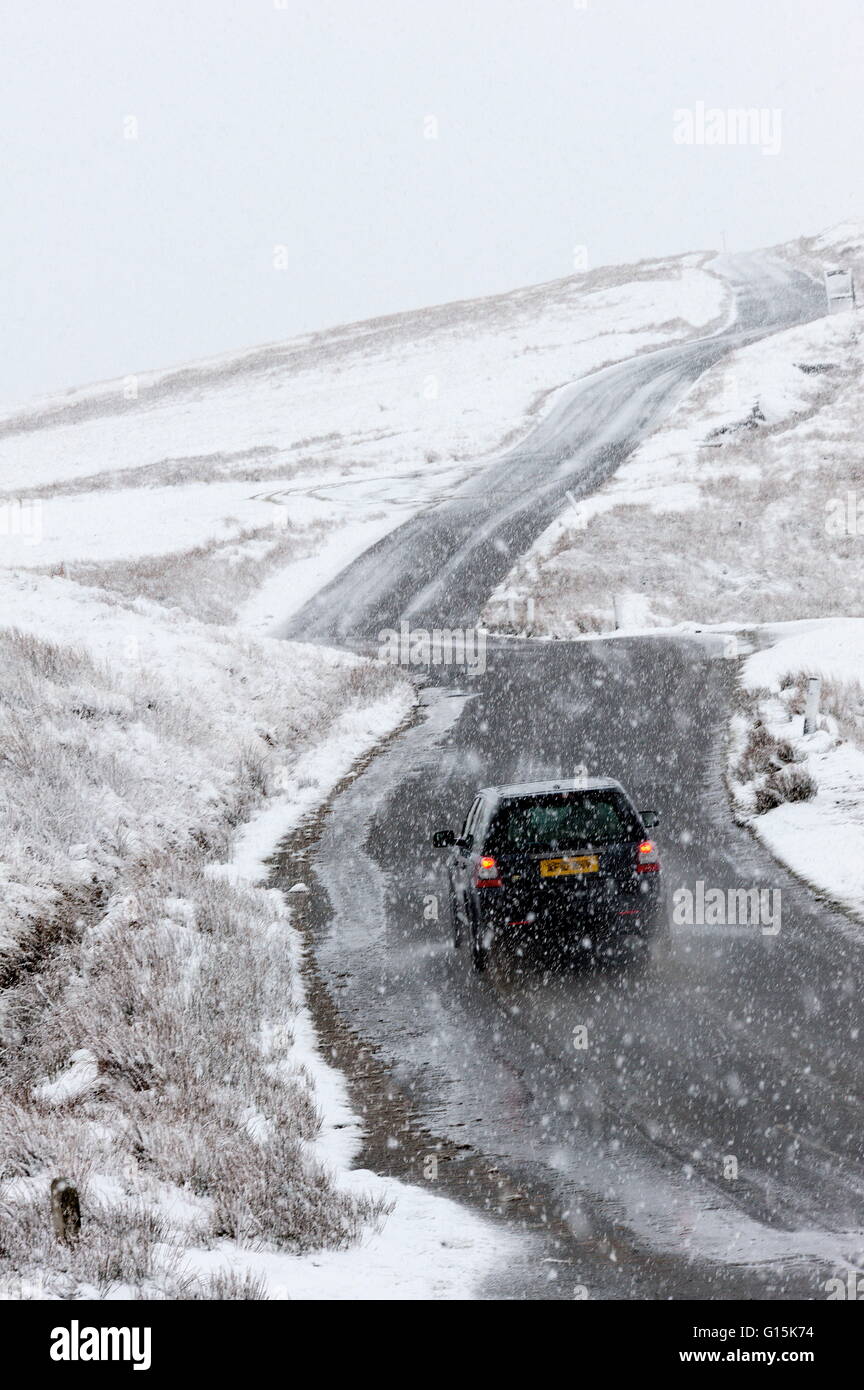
column 308, row 127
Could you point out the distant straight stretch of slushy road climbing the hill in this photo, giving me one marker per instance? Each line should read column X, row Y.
column 442, row 565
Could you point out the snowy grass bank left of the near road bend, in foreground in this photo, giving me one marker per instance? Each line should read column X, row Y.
column 162, row 1053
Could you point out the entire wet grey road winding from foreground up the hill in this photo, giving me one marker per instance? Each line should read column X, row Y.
column 706, row 1142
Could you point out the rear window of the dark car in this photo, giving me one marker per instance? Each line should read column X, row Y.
column 569, row 821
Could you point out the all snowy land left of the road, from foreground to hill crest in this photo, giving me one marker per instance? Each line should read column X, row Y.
column 156, row 1042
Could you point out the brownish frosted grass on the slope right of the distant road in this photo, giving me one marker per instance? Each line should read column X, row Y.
column 756, row 548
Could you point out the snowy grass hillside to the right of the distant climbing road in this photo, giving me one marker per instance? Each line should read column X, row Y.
column 731, row 512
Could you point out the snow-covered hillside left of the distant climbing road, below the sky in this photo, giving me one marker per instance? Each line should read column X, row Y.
column 292, row 459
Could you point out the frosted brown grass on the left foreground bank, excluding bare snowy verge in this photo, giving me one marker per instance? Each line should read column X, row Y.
column 177, row 982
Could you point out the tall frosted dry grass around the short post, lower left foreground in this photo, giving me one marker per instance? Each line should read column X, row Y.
column 197, row 1089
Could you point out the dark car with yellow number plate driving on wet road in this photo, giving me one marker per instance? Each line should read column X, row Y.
column 565, row 864
